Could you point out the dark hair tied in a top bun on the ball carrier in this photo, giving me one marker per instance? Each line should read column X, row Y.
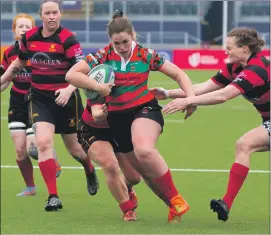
column 120, row 24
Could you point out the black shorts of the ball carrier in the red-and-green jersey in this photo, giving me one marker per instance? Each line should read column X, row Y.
column 120, row 122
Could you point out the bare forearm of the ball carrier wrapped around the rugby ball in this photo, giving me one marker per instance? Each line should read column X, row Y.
column 81, row 80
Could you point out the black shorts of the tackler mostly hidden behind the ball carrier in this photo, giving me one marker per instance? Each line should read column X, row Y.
column 87, row 135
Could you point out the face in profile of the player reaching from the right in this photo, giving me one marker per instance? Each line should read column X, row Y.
column 236, row 54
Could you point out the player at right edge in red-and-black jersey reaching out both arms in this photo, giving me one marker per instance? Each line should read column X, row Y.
column 247, row 74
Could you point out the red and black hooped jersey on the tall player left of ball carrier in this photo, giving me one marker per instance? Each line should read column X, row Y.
column 50, row 57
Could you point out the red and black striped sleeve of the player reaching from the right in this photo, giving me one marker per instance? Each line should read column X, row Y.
column 249, row 78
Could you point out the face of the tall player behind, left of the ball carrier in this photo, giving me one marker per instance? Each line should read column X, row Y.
column 50, row 15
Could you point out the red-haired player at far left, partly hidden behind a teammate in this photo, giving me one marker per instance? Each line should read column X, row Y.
column 21, row 131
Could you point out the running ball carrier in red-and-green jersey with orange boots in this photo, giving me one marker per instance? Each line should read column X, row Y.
column 133, row 113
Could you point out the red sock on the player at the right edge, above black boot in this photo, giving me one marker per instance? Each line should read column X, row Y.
column 237, row 177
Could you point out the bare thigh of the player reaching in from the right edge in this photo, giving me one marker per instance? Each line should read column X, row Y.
column 256, row 140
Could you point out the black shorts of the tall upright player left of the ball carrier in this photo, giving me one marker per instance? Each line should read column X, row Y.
column 42, row 108
